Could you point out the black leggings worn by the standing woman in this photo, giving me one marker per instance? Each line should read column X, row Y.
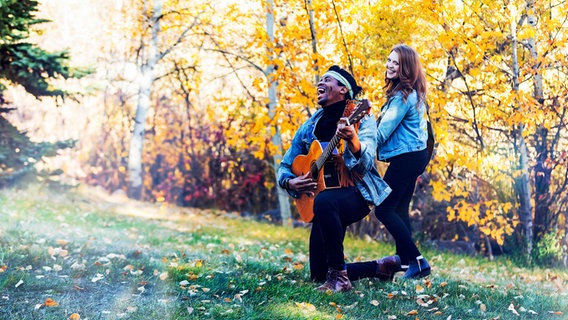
column 401, row 176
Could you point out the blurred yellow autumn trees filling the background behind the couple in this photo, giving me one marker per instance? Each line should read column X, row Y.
column 193, row 102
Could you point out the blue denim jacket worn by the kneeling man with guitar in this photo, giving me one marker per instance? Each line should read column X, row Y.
column 372, row 187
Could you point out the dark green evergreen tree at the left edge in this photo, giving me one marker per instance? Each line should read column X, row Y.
column 23, row 63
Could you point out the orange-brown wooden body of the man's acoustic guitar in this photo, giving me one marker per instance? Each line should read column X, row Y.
column 301, row 165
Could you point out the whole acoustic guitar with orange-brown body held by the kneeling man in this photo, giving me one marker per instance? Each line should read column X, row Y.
column 315, row 160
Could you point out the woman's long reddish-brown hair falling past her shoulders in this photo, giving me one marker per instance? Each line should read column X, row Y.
column 410, row 74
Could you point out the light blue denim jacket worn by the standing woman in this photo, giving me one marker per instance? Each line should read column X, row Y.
column 402, row 128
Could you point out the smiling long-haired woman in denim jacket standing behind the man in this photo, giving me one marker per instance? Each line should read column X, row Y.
column 401, row 141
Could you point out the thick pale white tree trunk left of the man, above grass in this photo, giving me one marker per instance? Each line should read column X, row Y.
column 135, row 172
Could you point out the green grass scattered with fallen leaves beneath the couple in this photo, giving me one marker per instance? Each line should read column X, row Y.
column 82, row 254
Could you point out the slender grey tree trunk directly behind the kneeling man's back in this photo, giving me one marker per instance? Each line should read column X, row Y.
column 283, row 200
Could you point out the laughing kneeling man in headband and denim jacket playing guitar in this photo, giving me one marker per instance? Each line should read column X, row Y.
column 360, row 186
